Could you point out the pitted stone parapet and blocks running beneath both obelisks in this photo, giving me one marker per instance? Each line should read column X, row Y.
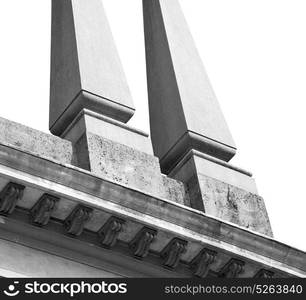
column 136, row 169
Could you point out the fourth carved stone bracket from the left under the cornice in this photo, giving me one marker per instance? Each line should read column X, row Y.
column 109, row 232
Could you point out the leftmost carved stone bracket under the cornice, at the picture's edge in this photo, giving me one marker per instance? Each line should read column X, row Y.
column 9, row 197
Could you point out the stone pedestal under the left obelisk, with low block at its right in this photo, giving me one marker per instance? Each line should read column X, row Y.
column 116, row 152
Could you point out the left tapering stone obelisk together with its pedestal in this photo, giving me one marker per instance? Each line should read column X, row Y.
column 90, row 101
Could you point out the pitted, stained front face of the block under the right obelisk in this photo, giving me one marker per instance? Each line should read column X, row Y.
column 234, row 205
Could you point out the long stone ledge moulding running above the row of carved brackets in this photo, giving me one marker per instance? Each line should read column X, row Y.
column 72, row 183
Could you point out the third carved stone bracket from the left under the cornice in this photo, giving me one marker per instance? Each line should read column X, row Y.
column 77, row 219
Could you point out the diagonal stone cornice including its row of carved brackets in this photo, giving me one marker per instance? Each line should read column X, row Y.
column 105, row 200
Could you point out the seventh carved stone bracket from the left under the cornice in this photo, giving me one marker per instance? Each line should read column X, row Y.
column 200, row 264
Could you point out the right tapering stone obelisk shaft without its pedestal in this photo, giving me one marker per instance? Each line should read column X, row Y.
column 184, row 111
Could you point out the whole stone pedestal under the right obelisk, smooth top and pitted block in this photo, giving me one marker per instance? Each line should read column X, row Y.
column 219, row 196
